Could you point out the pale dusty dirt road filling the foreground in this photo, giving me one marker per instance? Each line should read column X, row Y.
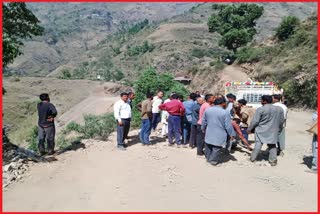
column 162, row 178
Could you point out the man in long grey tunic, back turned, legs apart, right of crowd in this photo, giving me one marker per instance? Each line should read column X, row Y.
column 267, row 123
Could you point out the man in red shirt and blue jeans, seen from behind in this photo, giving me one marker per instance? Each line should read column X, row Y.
column 175, row 109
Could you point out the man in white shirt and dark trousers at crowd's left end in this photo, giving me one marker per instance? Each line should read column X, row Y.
column 122, row 114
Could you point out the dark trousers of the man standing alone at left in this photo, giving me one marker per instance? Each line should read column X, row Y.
column 46, row 134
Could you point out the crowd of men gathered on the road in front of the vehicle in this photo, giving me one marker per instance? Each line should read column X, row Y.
column 211, row 123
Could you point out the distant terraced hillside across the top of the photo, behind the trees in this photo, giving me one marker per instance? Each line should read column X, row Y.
column 77, row 38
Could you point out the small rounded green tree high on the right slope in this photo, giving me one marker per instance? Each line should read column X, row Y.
column 287, row 27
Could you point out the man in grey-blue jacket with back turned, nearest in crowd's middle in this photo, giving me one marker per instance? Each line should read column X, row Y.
column 216, row 125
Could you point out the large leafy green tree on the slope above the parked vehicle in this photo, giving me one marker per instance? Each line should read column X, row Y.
column 236, row 24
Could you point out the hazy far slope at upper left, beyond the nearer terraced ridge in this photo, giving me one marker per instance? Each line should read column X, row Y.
column 71, row 29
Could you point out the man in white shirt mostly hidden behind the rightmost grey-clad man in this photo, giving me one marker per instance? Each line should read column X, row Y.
column 281, row 139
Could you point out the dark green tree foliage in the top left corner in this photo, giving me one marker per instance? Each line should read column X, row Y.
column 18, row 23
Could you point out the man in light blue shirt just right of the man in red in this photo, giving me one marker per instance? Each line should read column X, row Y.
column 187, row 119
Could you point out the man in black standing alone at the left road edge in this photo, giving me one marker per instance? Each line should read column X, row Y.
column 46, row 129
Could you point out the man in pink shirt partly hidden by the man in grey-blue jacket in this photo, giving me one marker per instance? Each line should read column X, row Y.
column 200, row 135
